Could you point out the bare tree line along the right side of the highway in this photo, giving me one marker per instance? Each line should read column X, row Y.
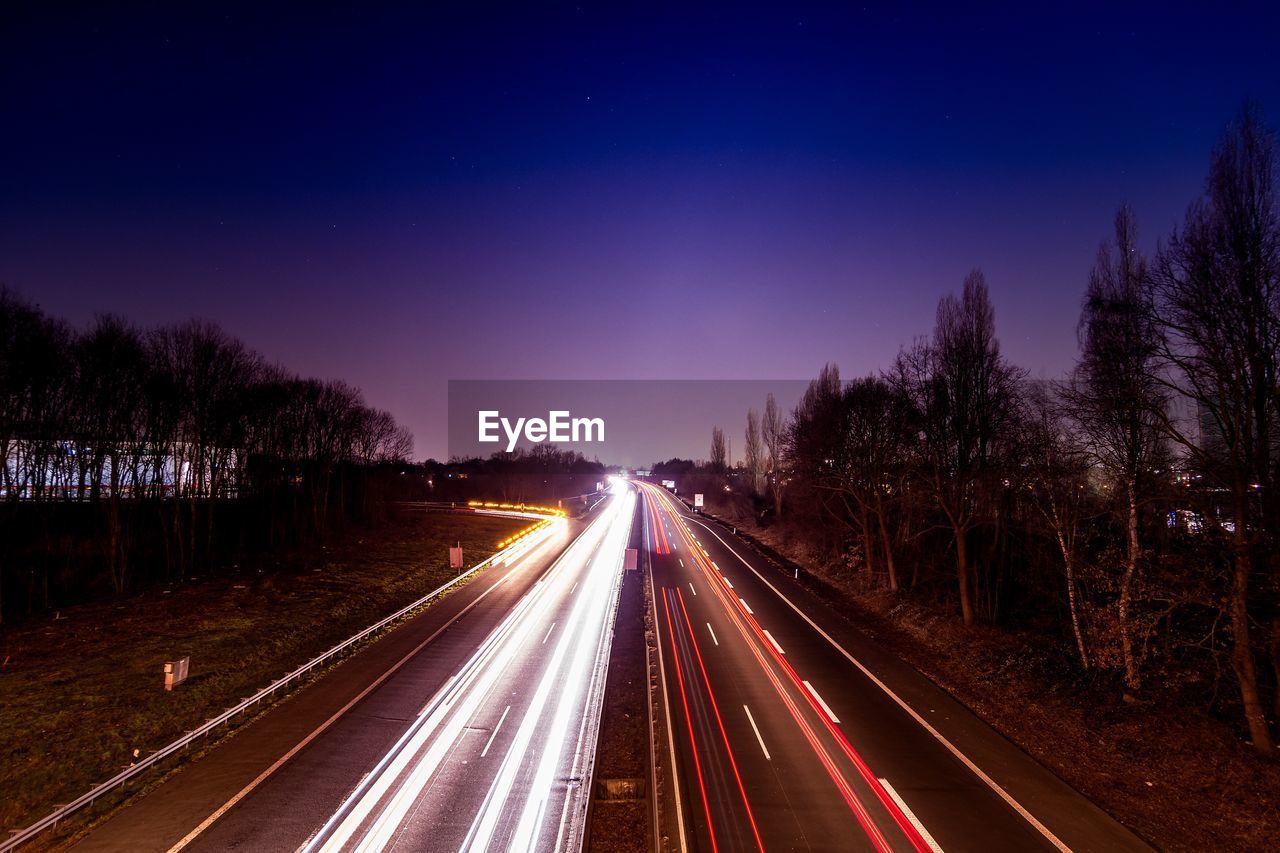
column 1131, row 507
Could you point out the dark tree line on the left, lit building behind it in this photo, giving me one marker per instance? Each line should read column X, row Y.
column 127, row 451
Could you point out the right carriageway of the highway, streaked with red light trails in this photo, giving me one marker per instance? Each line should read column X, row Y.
column 792, row 732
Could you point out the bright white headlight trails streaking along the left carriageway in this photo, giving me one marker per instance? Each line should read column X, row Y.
column 377, row 813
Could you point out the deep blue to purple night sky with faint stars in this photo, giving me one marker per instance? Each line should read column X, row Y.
column 600, row 191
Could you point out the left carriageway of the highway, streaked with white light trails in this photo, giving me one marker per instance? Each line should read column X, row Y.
column 478, row 738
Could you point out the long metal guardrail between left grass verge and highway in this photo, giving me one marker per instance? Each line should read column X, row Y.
column 84, row 801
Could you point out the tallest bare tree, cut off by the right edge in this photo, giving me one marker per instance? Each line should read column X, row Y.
column 1217, row 290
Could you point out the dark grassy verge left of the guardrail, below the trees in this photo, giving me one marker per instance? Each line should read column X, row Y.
column 81, row 690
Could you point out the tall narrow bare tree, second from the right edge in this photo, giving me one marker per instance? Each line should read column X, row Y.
column 1119, row 402
